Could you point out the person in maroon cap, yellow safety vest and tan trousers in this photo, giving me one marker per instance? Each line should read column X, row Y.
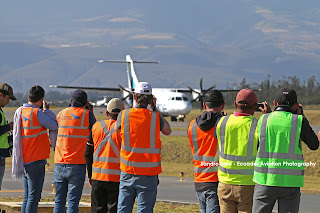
column 238, row 141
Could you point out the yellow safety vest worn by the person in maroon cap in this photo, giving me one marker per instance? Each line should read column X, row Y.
column 238, row 139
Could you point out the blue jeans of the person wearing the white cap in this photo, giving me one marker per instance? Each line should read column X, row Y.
column 141, row 186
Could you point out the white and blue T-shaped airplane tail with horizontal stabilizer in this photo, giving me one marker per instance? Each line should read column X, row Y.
column 132, row 77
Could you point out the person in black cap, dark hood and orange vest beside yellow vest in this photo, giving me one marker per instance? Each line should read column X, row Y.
column 204, row 150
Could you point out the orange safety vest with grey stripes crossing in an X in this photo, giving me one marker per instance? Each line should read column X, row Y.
column 106, row 156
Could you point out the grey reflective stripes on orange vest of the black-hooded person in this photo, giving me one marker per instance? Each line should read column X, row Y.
column 198, row 157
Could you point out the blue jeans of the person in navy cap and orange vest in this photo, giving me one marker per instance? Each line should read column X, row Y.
column 68, row 180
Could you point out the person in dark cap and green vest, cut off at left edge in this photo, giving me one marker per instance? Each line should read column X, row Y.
column 6, row 93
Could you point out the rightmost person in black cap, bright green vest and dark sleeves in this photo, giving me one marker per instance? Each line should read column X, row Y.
column 279, row 167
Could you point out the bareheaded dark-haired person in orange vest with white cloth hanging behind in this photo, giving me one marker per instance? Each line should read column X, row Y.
column 31, row 146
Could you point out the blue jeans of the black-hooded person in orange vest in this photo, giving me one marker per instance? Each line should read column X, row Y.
column 208, row 200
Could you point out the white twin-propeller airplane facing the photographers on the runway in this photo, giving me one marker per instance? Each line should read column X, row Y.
column 170, row 101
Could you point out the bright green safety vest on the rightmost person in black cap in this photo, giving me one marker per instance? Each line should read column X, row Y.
column 279, row 159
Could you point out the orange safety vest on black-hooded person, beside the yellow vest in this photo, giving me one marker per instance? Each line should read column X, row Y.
column 204, row 150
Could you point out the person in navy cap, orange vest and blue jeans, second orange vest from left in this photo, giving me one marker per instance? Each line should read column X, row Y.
column 75, row 123
